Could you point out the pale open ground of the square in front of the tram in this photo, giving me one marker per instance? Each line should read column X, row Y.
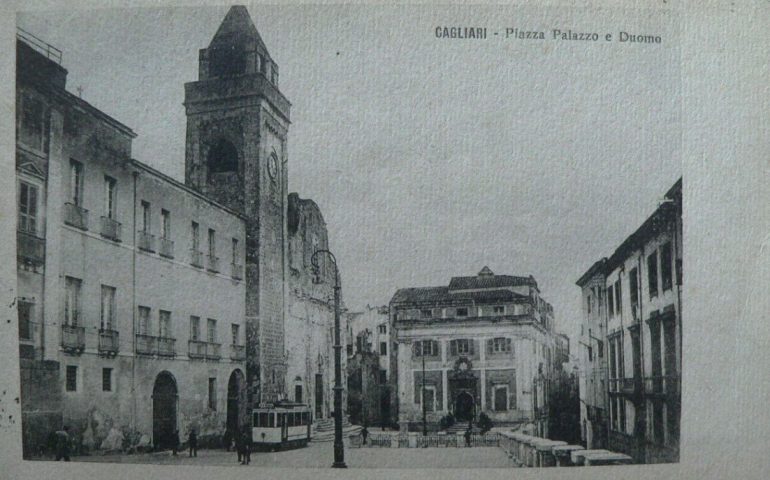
column 321, row 455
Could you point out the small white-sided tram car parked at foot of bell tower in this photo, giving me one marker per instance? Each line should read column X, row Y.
column 281, row 426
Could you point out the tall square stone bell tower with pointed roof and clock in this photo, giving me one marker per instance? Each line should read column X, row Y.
column 237, row 126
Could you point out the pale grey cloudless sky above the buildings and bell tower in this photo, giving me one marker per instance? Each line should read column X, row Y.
column 429, row 158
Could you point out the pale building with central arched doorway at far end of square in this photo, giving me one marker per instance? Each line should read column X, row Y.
column 481, row 344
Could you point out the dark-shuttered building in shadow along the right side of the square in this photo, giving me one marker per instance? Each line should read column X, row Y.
column 640, row 287
